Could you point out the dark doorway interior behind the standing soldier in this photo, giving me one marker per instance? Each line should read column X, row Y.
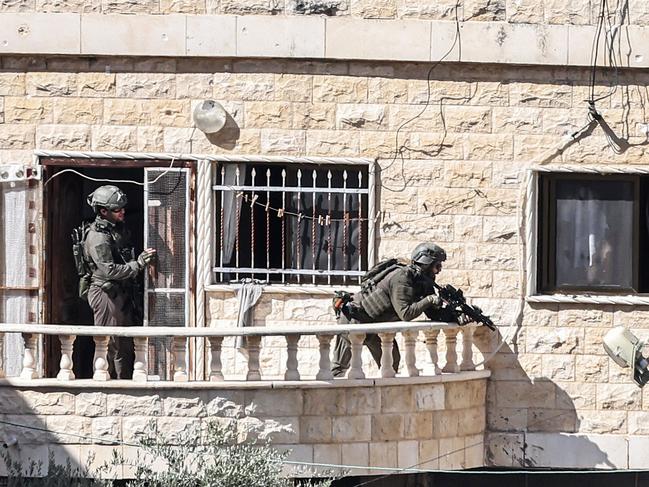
column 65, row 208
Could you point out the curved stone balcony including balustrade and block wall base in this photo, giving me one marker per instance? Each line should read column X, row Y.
column 431, row 415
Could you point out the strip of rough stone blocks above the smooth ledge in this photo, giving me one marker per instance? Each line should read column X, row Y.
column 578, row 12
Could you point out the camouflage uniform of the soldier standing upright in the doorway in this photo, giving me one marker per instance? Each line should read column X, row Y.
column 111, row 295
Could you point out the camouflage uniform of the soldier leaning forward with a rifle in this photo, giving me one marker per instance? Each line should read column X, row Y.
column 402, row 295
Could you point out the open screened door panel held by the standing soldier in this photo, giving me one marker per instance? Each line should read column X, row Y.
column 167, row 284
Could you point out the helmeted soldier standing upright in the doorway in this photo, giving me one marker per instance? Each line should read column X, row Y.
column 113, row 288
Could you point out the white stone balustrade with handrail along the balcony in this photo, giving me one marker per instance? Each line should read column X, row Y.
column 411, row 332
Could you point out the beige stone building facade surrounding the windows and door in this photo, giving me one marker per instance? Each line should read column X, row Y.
column 455, row 142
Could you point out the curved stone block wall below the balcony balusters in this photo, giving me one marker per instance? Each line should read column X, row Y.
column 439, row 424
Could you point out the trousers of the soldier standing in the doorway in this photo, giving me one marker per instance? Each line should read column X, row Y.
column 116, row 311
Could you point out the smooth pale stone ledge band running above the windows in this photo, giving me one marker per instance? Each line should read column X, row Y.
column 310, row 37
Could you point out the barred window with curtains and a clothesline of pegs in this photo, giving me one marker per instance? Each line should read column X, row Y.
column 303, row 243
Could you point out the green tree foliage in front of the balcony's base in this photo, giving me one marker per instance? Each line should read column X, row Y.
column 218, row 459
